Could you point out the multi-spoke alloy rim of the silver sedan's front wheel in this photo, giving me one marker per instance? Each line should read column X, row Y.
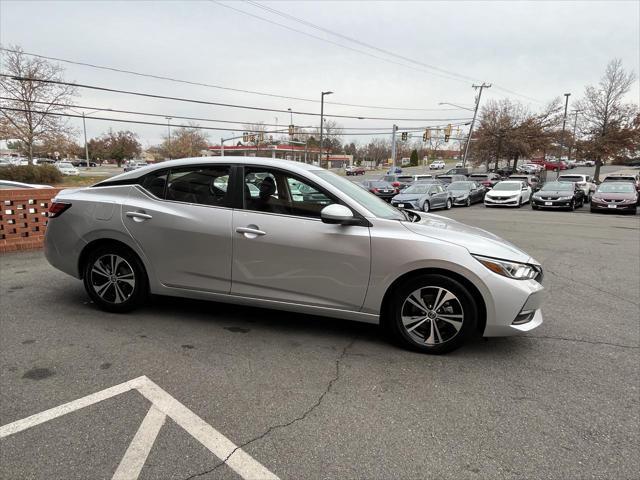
column 432, row 315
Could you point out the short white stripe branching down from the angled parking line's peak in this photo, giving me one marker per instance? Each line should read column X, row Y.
column 140, row 447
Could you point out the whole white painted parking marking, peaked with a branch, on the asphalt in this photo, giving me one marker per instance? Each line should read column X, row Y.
column 163, row 405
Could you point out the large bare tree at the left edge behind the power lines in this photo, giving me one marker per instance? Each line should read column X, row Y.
column 28, row 113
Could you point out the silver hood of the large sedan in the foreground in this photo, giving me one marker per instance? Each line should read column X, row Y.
column 476, row 240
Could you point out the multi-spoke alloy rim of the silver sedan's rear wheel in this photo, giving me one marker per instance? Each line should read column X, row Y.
column 112, row 278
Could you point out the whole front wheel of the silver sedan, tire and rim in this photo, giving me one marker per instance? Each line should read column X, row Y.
column 431, row 314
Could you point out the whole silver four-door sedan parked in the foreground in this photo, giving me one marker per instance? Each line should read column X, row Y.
column 290, row 236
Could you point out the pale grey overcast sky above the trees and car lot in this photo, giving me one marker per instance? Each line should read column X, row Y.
column 539, row 50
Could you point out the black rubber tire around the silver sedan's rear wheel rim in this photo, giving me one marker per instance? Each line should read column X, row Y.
column 130, row 296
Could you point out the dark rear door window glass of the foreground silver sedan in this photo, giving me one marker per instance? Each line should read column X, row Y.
column 200, row 185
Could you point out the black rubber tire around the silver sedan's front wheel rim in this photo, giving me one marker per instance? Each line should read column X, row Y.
column 428, row 286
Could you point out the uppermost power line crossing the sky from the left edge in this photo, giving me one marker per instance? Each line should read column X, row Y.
column 209, row 85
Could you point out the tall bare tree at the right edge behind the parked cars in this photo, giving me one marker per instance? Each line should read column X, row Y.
column 605, row 114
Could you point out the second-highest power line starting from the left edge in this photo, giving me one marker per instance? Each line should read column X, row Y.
column 219, row 104
